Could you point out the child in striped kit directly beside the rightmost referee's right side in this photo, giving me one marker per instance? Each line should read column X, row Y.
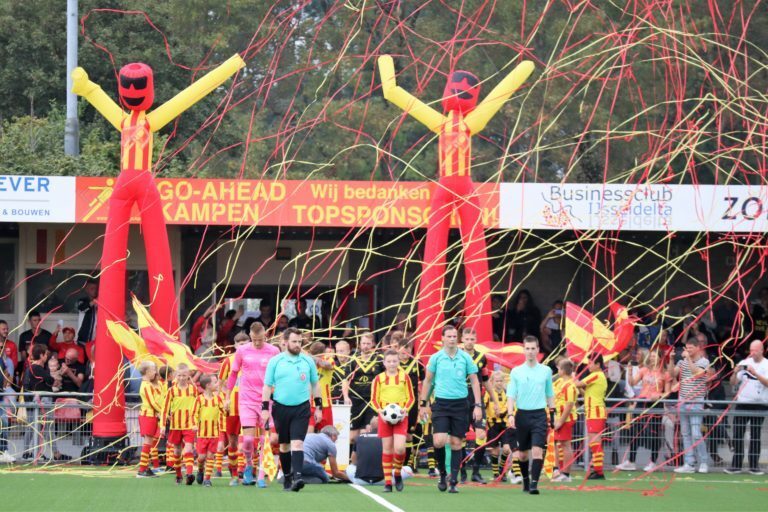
column 566, row 395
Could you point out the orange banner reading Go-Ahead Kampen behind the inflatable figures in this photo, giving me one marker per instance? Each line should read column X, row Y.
column 285, row 202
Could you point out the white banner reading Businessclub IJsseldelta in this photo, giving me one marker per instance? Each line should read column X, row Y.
column 718, row 208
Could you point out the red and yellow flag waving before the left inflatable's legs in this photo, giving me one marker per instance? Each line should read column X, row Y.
column 154, row 344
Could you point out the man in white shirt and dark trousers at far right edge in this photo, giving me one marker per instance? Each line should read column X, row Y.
column 751, row 377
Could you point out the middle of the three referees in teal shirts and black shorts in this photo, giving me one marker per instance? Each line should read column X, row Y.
column 449, row 369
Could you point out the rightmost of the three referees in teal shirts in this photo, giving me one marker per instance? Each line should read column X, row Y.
column 530, row 389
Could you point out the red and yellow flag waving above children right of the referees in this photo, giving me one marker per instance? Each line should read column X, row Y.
column 585, row 335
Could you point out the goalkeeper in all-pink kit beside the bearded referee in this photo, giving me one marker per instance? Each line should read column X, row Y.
column 250, row 364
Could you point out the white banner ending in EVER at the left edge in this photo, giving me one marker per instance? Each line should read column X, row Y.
column 37, row 199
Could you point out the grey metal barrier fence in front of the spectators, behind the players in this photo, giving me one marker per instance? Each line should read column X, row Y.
column 41, row 427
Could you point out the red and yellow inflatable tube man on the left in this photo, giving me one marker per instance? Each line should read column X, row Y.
column 135, row 185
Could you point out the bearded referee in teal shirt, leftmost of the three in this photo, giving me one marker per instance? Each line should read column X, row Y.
column 290, row 382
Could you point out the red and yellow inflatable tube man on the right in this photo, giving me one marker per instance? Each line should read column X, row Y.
column 455, row 191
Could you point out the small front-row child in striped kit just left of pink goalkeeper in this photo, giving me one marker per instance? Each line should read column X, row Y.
column 208, row 413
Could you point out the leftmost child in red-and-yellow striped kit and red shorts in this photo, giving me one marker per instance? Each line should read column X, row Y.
column 151, row 393
